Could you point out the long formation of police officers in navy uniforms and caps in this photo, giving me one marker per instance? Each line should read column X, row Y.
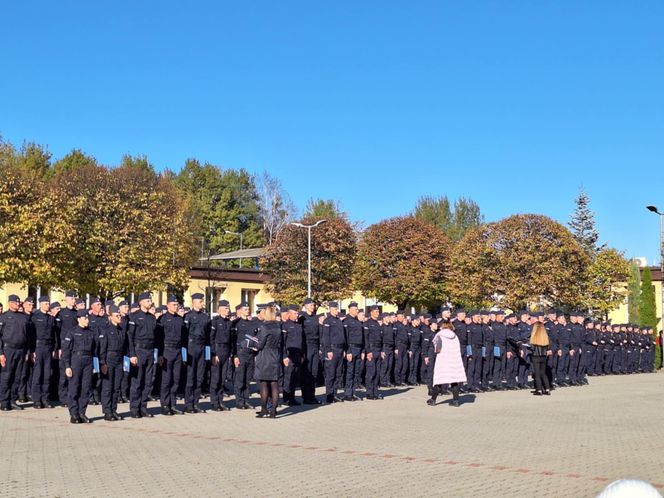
column 102, row 353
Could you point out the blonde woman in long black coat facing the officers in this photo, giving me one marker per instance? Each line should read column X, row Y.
column 269, row 360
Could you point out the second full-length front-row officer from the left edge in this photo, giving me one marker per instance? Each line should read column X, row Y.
column 42, row 350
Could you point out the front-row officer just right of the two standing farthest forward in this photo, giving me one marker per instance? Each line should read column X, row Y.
column 141, row 335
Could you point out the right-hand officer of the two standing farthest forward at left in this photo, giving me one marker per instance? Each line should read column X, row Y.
column 112, row 348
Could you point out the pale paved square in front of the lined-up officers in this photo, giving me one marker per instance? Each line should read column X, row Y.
column 572, row 443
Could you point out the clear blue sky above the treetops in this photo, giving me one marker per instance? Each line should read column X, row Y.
column 374, row 103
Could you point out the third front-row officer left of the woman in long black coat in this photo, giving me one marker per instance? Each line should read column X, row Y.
column 197, row 328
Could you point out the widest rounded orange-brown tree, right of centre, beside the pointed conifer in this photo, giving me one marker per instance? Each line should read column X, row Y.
column 521, row 260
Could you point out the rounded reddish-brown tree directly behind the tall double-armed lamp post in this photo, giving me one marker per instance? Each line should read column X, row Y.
column 333, row 249
